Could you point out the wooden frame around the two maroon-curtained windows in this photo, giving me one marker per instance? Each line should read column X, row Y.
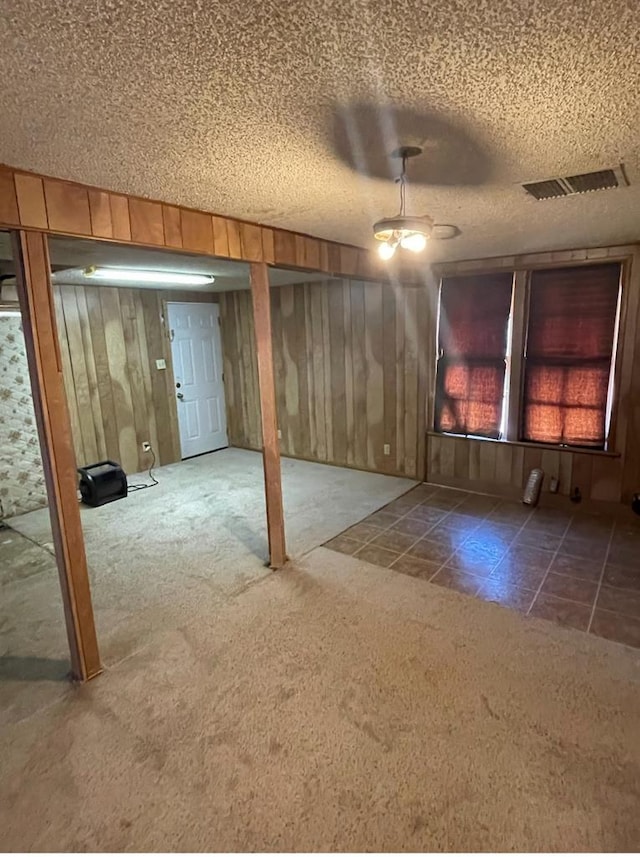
column 515, row 359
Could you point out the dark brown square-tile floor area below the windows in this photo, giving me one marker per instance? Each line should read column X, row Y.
column 578, row 570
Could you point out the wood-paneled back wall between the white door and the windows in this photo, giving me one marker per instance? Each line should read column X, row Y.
column 350, row 373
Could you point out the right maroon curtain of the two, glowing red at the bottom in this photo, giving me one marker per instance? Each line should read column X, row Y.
column 572, row 314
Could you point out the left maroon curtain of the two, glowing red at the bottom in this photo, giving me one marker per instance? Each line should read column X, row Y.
column 474, row 315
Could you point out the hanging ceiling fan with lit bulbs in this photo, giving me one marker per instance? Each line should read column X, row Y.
column 411, row 232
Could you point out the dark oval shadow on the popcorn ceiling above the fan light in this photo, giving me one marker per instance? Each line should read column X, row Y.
column 365, row 135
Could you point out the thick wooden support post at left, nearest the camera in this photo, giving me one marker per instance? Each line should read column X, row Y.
column 45, row 368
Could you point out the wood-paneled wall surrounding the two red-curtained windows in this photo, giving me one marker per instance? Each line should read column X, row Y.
column 503, row 467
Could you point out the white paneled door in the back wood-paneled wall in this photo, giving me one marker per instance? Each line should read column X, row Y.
column 196, row 349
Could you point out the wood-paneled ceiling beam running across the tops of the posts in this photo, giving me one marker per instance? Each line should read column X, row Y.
column 51, row 205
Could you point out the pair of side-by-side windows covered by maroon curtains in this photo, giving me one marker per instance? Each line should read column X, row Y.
column 561, row 372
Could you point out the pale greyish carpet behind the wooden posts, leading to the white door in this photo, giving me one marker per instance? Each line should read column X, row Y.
column 156, row 557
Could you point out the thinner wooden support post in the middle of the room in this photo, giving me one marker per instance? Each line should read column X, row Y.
column 259, row 277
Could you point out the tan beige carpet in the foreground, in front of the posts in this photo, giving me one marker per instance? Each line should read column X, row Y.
column 338, row 706
